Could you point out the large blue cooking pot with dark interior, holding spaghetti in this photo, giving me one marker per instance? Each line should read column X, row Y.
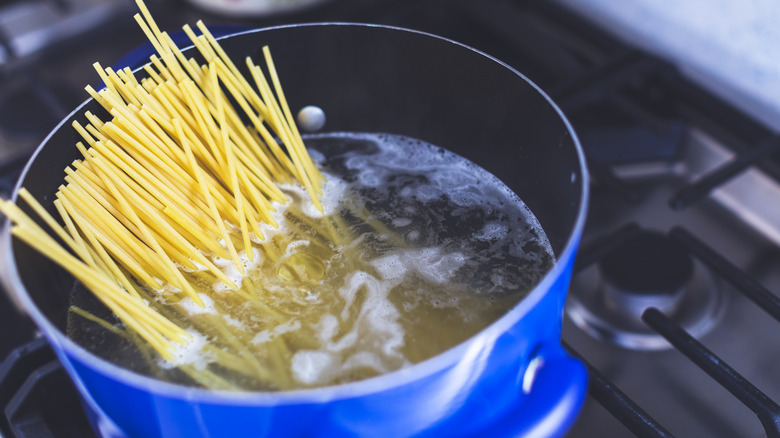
column 511, row 379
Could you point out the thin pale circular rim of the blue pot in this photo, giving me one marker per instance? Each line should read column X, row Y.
column 64, row 345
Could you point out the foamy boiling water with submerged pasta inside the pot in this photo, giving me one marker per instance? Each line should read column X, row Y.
column 417, row 250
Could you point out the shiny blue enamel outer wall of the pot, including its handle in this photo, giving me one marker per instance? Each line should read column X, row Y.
column 480, row 394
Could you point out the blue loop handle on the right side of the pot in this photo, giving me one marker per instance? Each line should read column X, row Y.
column 555, row 385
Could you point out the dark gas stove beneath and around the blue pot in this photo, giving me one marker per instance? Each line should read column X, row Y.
column 673, row 304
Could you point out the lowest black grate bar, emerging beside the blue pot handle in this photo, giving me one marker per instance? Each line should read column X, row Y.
column 621, row 406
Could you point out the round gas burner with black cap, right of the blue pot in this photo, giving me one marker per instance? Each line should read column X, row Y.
column 649, row 270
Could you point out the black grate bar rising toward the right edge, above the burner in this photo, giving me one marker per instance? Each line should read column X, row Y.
column 699, row 189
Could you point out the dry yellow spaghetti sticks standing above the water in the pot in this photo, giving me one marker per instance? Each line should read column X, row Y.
column 172, row 182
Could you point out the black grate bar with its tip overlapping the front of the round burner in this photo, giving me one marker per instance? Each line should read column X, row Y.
column 767, row 411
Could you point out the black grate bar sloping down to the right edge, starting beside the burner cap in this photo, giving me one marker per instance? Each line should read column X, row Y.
column 741, row 281
